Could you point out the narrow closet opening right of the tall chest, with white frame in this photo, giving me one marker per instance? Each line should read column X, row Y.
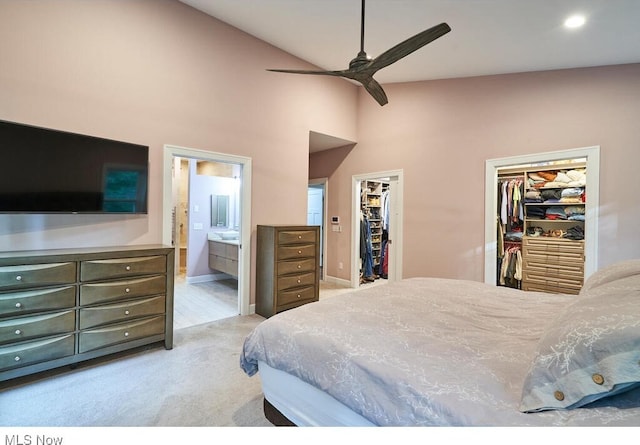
column 377, row 228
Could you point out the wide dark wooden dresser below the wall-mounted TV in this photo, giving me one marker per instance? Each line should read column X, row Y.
column 61, row 307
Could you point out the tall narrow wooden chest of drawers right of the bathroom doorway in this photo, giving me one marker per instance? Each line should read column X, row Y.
column 287, row 267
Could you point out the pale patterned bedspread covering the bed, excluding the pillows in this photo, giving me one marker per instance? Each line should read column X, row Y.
column 425, row 351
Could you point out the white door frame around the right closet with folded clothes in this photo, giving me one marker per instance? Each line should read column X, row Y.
column 592, row 154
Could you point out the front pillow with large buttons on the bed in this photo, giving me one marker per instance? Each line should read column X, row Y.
column 590, row 351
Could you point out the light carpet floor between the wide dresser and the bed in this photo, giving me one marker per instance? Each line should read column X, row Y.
column 197, row 383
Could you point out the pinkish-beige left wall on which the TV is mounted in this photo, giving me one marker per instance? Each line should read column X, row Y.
column 157, row 72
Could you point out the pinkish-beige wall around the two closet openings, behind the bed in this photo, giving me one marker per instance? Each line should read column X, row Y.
column 442, row 132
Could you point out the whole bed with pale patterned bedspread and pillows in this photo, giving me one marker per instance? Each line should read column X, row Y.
column 443, row 352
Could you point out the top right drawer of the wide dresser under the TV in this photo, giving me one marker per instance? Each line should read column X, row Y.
column 95, row 270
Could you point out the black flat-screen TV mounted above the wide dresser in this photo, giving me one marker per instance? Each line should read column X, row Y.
column 51, row 171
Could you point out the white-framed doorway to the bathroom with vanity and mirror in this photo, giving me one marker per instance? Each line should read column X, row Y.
column 206, row 219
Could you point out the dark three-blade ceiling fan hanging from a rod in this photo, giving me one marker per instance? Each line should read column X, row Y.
column 362, row 68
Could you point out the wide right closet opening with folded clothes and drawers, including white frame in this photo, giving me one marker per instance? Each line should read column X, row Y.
column 543, row 212
